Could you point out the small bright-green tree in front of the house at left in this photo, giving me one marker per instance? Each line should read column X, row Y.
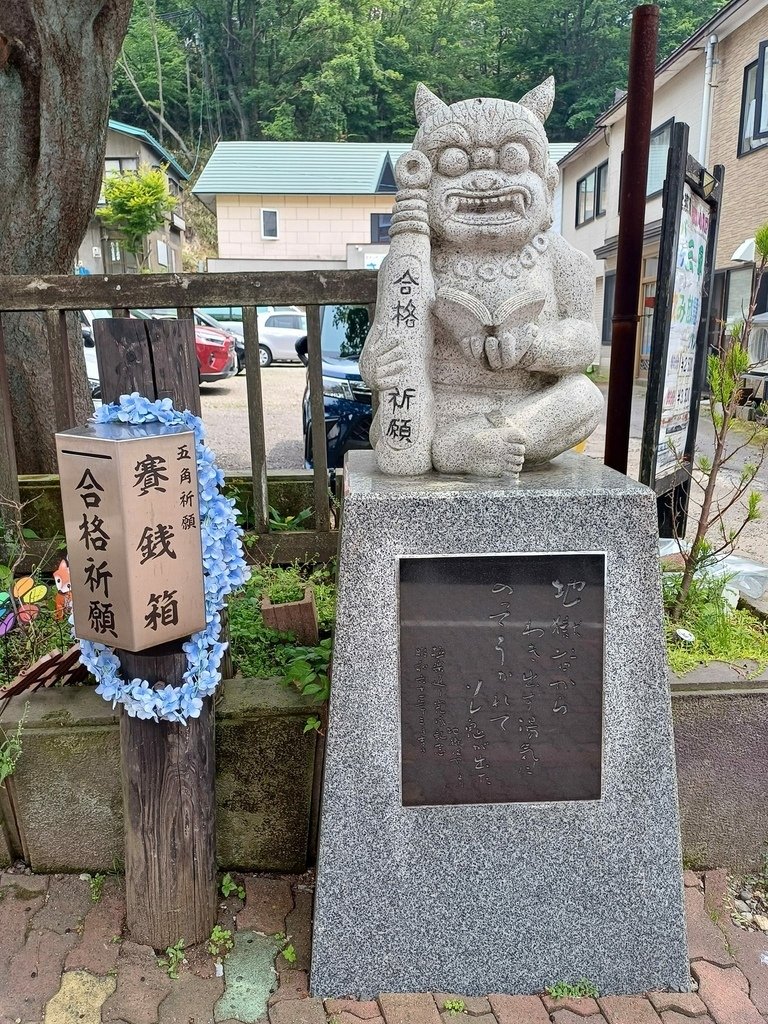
column 137, row 203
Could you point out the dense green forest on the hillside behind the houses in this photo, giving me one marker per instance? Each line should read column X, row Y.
column 196, row 73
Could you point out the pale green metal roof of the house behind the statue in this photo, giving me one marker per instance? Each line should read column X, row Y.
column 307, row 168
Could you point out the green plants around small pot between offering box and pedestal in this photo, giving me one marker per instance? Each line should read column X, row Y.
column 259, row 652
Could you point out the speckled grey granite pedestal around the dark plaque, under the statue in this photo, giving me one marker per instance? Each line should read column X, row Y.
column 498, row 898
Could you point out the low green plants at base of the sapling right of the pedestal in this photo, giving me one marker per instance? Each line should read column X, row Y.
column 722, row 634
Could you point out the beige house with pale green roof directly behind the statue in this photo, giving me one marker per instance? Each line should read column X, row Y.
column 301, row 206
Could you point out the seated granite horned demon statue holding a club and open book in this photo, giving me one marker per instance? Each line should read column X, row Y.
column 484, row 324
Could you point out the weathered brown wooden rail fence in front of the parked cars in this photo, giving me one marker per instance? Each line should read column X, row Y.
column 55, row 296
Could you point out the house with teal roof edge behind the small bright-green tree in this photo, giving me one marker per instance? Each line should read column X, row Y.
column 102, row 250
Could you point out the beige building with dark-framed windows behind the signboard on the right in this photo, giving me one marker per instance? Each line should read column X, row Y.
column 713, row 83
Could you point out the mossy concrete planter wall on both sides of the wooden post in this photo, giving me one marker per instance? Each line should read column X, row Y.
column 67, row 787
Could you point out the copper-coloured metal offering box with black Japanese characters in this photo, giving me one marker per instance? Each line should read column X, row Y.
column 133, row 524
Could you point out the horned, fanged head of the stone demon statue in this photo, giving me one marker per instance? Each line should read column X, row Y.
column 488, row 172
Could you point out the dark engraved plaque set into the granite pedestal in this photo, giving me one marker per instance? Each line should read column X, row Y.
column 501, row 678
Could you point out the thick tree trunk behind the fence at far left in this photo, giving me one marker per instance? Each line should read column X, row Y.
column 57, row 61
